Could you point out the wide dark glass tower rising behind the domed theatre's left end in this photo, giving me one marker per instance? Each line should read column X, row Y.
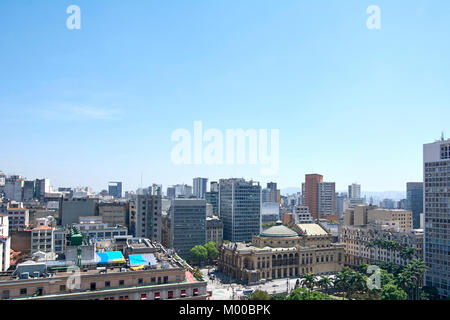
column 240, row 209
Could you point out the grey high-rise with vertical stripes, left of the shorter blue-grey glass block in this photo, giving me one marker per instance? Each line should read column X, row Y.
column 148, row 216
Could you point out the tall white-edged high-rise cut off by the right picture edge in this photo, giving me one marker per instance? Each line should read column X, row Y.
column 436, row 163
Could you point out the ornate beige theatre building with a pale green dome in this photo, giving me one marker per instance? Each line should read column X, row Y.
column 281, row 252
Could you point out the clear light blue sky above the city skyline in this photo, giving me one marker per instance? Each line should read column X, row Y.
column 83, row 107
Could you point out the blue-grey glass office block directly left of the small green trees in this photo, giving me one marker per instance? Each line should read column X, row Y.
column 188, row 225
